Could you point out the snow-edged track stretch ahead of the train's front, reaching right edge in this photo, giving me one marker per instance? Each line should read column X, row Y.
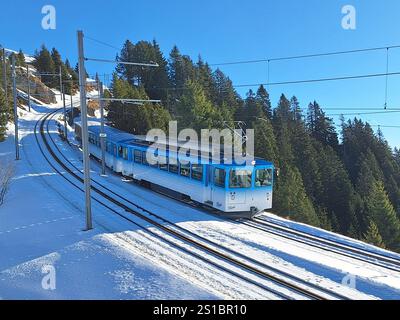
column 261, row 223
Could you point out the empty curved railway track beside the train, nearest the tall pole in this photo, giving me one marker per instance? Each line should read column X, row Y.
column 250, row 266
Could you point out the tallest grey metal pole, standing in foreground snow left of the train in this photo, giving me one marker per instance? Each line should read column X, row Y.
column 85, row 142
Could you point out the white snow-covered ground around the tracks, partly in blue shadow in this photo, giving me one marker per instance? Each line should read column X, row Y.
column 42, row 219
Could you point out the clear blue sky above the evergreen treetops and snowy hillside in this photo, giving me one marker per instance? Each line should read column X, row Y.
column 224, row 31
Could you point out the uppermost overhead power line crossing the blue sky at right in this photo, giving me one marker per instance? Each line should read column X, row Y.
column 306, row 56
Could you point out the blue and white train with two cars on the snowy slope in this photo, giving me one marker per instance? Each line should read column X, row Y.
column 236, row 191
